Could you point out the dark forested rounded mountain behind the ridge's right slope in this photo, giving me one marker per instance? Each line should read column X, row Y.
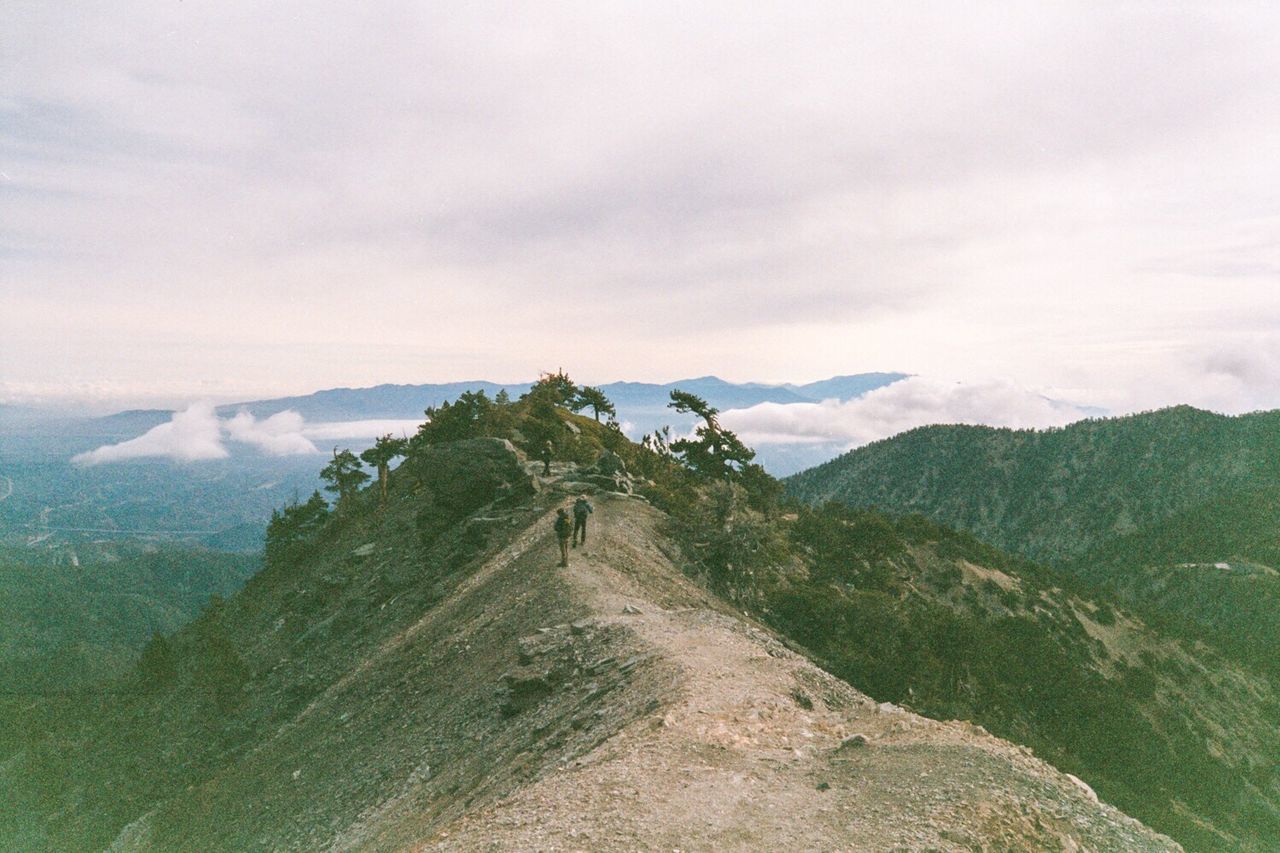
column 1058, row 495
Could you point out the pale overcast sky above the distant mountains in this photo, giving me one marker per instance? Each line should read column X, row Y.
column 231, row 200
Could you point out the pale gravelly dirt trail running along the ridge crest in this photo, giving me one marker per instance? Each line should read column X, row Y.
column 752, row 747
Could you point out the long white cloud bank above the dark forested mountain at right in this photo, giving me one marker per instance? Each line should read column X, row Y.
column 904, row 405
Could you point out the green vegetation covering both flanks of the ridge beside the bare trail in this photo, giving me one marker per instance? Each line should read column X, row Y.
column 900, row 606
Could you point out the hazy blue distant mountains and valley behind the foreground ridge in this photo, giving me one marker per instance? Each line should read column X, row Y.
column 226, row 503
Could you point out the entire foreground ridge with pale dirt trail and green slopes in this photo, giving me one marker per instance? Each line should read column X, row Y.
column 418, row 672
